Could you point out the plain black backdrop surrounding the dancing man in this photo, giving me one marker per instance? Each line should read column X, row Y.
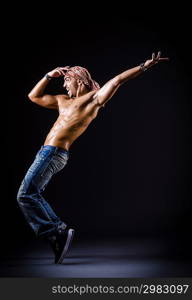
column 129, row 173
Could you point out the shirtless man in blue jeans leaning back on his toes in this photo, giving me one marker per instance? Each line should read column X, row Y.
column 76, row 111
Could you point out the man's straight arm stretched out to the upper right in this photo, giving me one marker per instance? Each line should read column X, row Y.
column 109, row 89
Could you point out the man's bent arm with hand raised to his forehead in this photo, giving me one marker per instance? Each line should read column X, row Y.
column 37, row 93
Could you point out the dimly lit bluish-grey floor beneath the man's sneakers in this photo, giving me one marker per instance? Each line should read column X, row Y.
column 97, row 258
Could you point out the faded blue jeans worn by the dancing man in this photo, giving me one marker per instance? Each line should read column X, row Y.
column 38, row 213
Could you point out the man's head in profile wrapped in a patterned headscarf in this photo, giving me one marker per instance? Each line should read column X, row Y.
column 74, row 76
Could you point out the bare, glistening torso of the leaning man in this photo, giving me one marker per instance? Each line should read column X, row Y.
column 75, row 115
